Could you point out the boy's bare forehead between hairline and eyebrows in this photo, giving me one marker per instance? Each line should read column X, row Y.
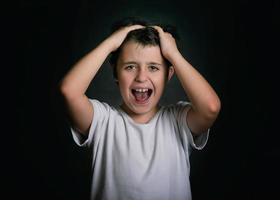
column 136, row 52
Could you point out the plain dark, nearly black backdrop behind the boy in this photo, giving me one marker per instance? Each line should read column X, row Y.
column 234, row 44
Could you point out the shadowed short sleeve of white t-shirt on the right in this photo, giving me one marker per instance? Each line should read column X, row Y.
column 198, row 142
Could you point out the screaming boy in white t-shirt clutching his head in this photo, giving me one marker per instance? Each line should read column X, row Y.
column 140, row 149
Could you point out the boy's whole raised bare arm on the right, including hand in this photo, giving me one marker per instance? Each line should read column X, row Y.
column 205, row 102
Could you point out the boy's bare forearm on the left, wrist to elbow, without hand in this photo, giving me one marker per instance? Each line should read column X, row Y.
column 77, row 80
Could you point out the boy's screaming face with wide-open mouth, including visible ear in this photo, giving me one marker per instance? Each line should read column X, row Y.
column 142, row 75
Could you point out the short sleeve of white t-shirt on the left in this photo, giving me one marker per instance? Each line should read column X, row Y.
column 100, row 116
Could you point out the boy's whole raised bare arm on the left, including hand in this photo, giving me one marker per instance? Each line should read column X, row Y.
column 75, row 83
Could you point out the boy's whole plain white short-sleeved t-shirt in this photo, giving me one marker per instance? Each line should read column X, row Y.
column 140, row 161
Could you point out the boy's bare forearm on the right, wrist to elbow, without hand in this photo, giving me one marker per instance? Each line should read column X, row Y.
column 202, row 96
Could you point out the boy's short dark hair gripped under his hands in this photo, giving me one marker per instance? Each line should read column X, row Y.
column 147, row 36
